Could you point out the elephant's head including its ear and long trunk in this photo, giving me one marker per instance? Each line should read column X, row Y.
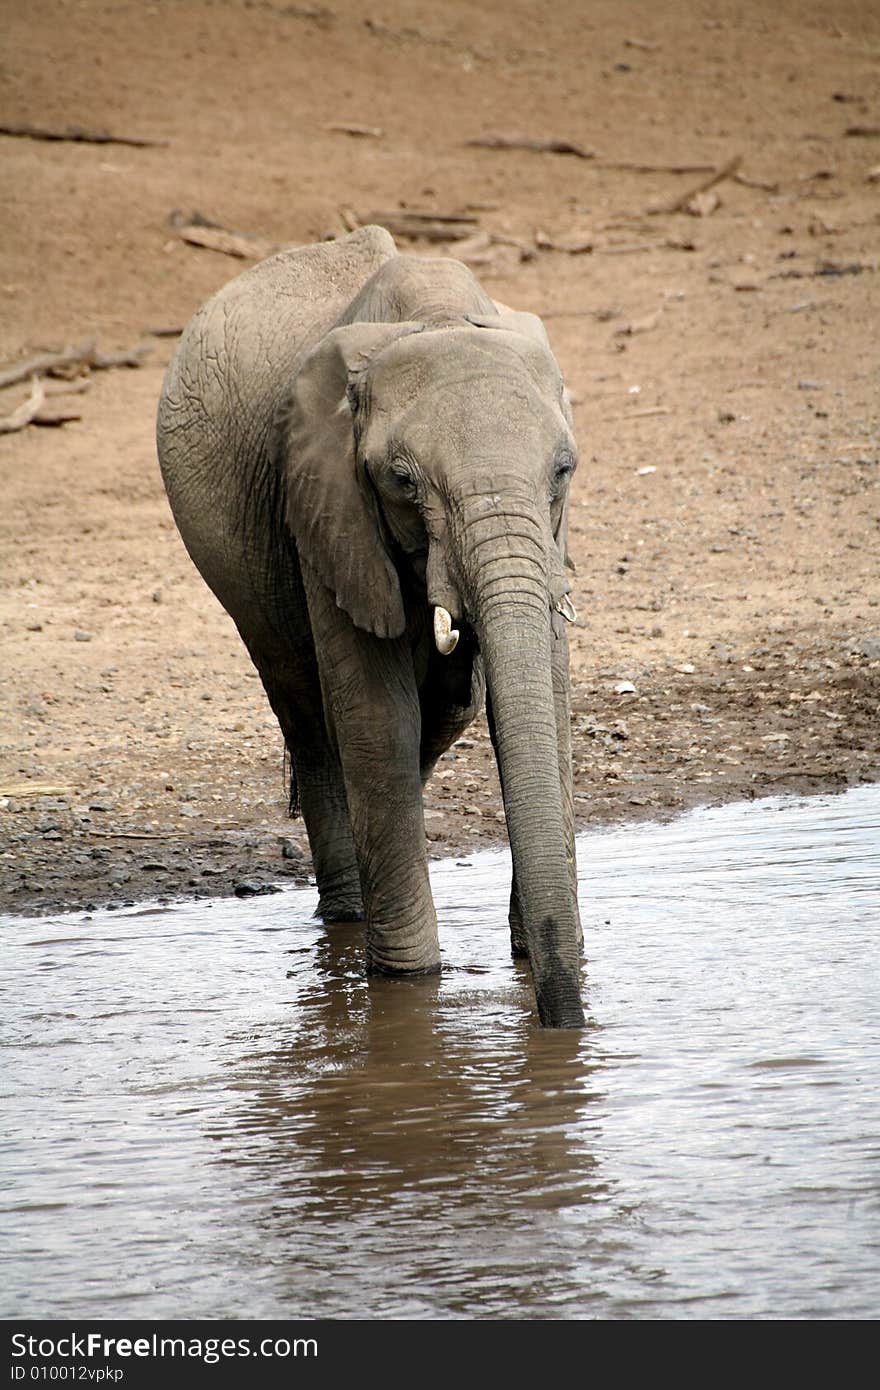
column 433, row 458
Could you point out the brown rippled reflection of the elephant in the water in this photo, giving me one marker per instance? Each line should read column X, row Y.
column 379, row 1120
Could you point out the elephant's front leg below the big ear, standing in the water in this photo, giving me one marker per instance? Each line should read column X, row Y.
column 372, row 707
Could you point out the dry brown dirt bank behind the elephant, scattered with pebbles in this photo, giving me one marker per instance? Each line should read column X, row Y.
column 724, row 361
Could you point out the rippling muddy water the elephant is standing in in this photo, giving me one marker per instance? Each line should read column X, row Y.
column 211, row 1113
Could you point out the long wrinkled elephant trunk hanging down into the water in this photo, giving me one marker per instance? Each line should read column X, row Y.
column 511, row 605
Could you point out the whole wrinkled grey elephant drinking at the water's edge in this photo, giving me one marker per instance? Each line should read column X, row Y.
column 348, row 439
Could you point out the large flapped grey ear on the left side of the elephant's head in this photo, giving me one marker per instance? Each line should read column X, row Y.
column 330, row 509
